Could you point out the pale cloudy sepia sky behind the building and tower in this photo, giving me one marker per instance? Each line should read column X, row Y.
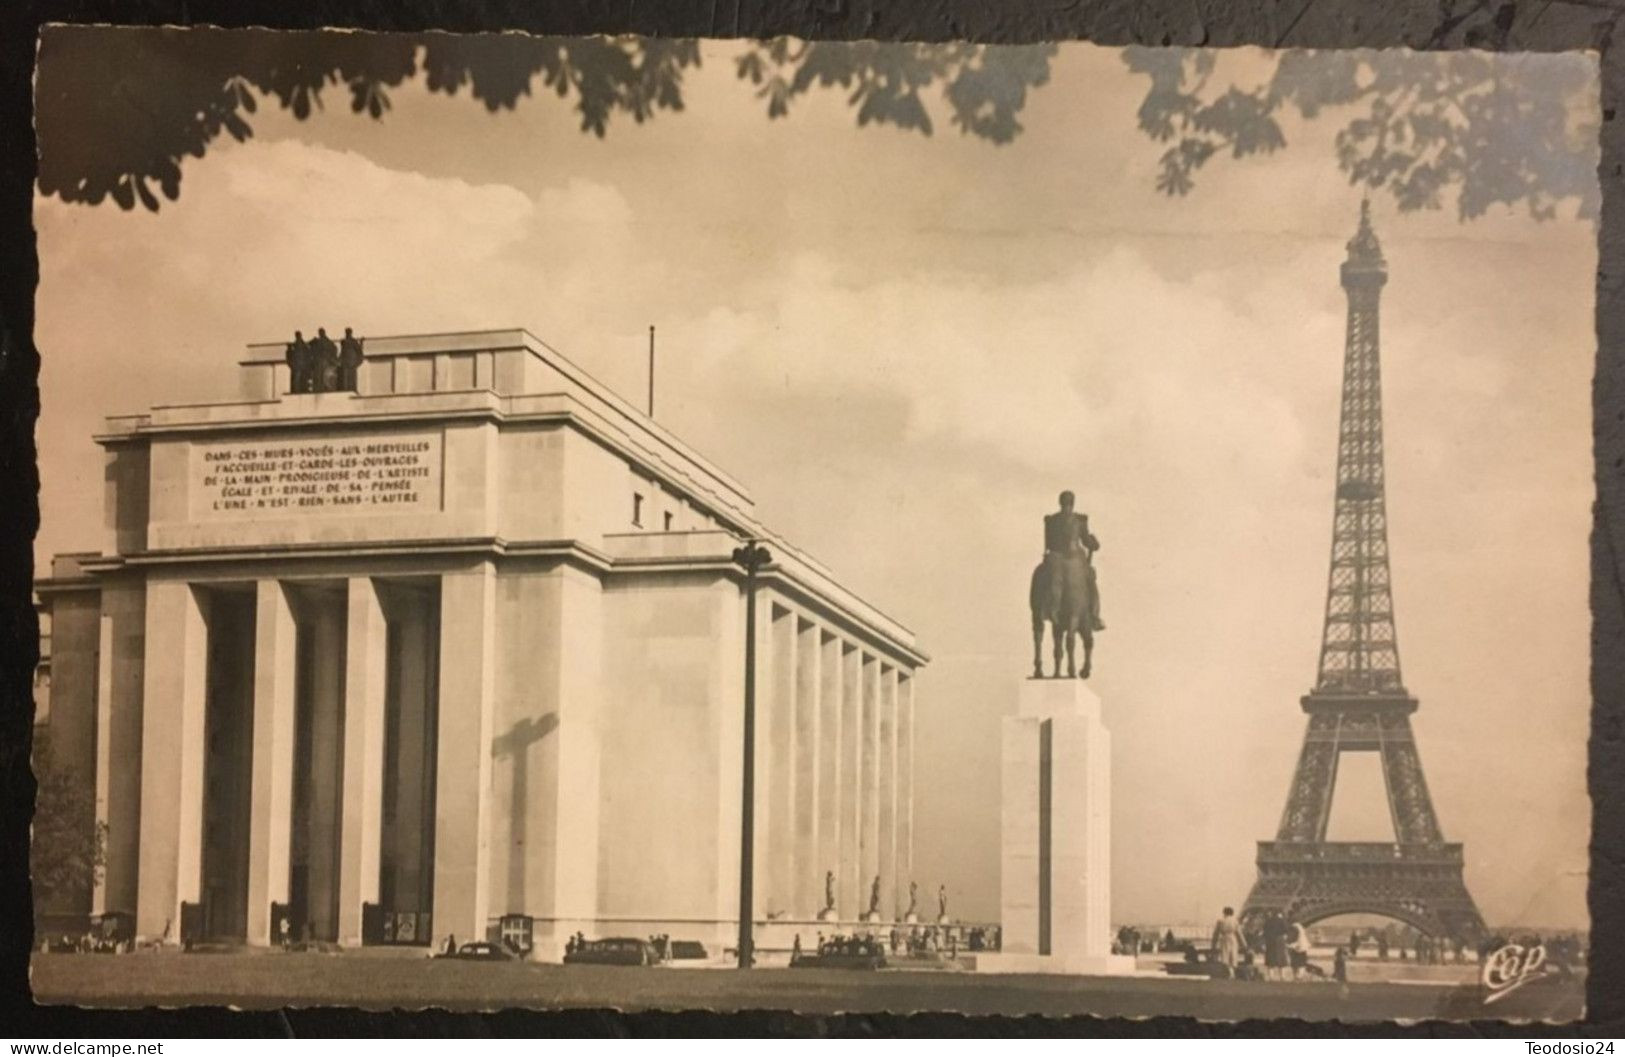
column 908, row 347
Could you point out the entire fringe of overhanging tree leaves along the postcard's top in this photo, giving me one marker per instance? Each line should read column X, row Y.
column 119, row 110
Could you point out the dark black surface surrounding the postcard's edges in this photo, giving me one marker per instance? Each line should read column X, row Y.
column 1533, row 25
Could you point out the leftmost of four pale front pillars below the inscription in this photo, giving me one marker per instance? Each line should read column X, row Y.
column 171, row 853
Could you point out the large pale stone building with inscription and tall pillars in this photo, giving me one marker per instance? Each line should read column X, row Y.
column 464, row 643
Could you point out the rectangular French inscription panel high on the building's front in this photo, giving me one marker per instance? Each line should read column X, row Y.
column 293, row 477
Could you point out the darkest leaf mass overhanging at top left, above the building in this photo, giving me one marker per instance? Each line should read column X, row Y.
column 119, row 110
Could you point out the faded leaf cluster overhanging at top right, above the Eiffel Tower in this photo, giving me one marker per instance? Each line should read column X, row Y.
column 1496, row 129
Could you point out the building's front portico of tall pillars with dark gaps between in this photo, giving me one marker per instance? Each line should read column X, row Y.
column 352, row 785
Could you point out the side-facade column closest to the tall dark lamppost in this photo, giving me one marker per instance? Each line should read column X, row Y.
column 779, row 830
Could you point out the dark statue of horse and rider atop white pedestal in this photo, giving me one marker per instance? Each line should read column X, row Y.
column 1065, row 591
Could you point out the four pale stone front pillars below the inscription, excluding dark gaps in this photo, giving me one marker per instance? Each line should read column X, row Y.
column 173, row 754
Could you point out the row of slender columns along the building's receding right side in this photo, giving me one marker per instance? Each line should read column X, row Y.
column 836, row 772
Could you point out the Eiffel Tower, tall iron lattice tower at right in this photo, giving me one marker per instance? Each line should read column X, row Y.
column 1359, row 703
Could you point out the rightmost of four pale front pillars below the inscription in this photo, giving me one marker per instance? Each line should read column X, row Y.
column 464, row 760
